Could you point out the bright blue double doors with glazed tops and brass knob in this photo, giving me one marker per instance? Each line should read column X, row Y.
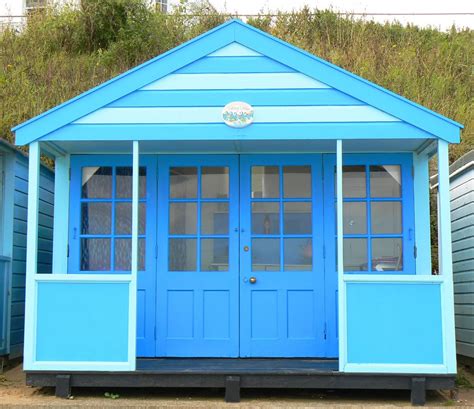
column 241, row 269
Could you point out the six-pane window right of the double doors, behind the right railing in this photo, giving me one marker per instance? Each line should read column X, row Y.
column 373, row 218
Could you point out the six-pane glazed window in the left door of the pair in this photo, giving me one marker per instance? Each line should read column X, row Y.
column 199, row 200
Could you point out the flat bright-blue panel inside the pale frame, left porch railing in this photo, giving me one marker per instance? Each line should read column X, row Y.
column 82, row 322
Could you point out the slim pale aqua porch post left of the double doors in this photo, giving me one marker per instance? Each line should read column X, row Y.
column 134, row 262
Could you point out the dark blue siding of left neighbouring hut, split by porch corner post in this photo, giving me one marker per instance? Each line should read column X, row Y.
column 45, row 235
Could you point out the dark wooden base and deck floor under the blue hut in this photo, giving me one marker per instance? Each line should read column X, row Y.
column 235, row 374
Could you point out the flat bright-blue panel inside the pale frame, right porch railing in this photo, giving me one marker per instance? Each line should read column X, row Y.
column 390, row 323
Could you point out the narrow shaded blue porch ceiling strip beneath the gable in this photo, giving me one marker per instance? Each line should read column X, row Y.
column 232, row 146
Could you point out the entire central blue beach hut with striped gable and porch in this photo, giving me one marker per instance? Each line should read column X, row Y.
column 199, row 206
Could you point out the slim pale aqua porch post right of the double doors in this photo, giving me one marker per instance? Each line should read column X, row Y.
column 340, row 259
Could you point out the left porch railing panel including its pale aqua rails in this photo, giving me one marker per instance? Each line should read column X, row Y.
column 81, row 322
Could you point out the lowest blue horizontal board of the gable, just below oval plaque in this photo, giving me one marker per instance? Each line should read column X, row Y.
column 222, row 132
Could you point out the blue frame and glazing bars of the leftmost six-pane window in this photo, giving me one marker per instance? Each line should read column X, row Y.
column 77, row 163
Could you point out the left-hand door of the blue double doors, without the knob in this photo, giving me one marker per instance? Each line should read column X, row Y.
column 197, row 280
